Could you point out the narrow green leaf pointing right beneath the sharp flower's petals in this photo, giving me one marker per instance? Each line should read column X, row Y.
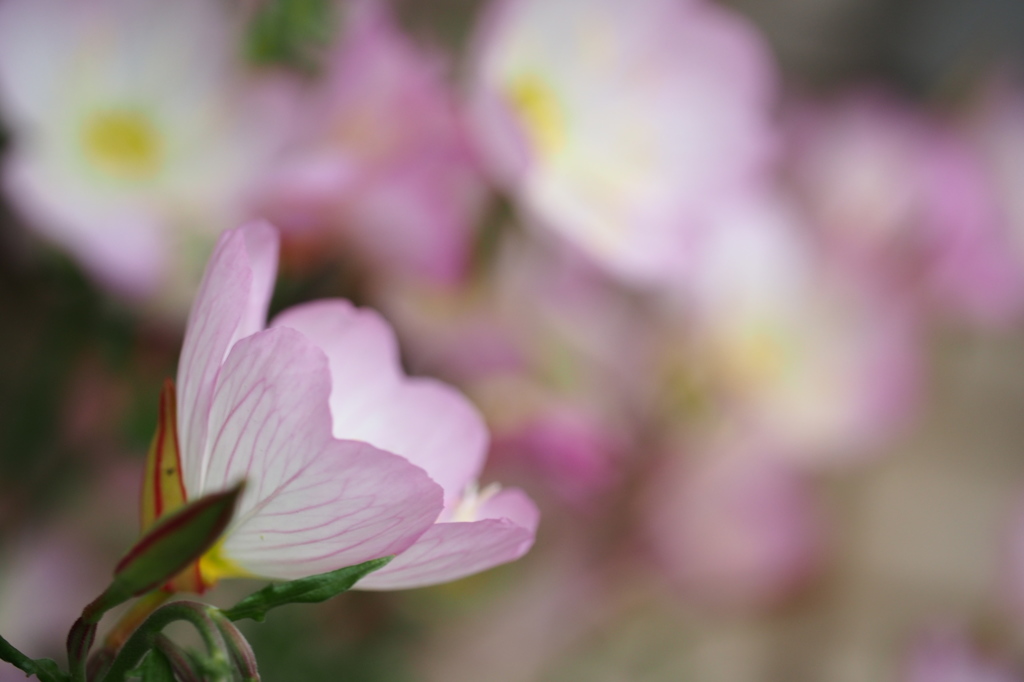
column 306, row 590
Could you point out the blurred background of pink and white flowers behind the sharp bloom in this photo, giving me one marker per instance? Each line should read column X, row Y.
column 739, row 287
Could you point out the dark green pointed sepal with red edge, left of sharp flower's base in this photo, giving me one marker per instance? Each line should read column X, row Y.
column 175, row 543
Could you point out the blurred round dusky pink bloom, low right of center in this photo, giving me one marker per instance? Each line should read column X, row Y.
column 734, row 526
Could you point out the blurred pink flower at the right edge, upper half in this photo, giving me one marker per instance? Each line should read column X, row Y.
column 906, row 197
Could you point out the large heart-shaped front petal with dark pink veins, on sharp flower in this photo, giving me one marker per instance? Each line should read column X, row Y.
column 314, row 504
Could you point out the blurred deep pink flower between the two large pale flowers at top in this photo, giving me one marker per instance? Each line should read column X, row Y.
column 385, row 165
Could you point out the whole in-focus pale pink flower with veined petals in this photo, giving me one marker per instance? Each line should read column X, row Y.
column 306, row 411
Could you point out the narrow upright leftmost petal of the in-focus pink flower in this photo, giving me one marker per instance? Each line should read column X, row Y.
column 232, row 302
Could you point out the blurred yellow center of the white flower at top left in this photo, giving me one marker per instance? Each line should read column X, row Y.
column 123, row 145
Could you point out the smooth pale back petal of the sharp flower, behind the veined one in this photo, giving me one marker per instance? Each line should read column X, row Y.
column 425, row 421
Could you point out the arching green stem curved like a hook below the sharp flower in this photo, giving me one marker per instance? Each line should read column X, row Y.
column 145, row 638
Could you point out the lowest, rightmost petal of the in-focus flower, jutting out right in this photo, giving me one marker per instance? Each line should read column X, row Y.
column 450, row 551
